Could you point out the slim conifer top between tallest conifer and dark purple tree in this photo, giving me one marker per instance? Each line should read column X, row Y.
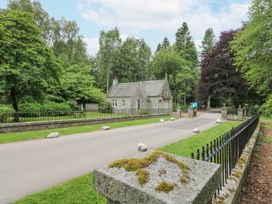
column 208, row 42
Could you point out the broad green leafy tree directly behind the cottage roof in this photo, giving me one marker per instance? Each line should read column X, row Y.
column 134, row 61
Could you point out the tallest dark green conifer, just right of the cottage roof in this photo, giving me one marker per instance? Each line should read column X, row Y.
column 185, row 46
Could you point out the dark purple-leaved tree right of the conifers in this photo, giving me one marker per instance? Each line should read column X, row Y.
column 219, row 76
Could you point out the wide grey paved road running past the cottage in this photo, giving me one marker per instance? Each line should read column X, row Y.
column 31, row 166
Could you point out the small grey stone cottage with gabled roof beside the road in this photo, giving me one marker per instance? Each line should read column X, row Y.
column 145, row 96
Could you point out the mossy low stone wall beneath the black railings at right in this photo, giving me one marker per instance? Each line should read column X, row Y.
column 231, row 193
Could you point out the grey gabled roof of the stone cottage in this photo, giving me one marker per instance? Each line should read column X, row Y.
column 147, row 88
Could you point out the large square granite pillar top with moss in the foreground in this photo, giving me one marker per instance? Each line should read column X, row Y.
column 169, row 179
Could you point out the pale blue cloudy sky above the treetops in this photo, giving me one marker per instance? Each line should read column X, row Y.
column 135, row 16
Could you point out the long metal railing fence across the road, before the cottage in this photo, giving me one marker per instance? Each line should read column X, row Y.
column 10, row 117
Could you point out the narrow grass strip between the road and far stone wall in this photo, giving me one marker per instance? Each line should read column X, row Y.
column 29, row 135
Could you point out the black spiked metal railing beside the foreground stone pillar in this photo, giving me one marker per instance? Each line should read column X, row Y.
column 227, row 149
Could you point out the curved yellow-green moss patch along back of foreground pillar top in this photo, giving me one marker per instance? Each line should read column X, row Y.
column 138, row 164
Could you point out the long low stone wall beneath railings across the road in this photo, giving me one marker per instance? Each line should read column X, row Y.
column 26, row 126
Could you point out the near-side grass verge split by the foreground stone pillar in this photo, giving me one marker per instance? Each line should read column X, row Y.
column 80, row 190
